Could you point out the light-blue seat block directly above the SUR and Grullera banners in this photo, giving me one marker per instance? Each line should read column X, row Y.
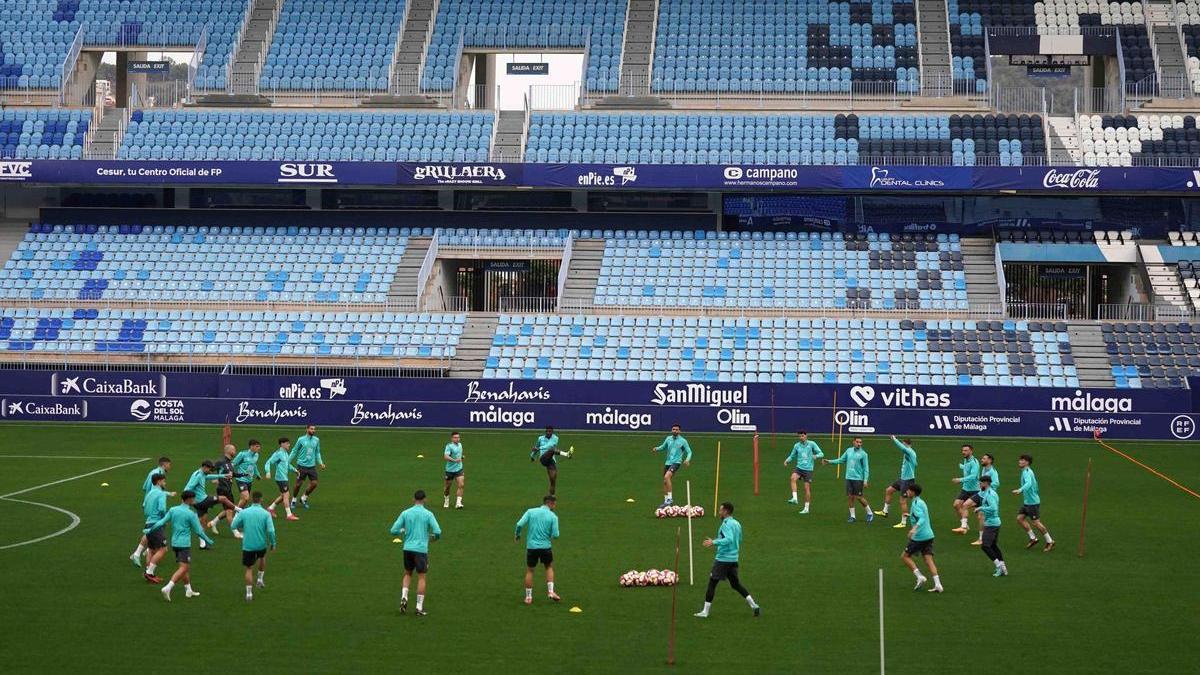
column 380, row 136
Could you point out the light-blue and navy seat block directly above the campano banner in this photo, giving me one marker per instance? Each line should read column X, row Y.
column 782, row 139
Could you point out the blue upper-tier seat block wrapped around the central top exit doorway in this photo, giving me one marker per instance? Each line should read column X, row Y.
column 597, row 27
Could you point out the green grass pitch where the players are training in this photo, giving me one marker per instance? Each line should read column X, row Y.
column 75, row 602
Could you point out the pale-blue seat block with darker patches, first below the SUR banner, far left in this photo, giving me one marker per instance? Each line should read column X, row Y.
column 232, row 265
